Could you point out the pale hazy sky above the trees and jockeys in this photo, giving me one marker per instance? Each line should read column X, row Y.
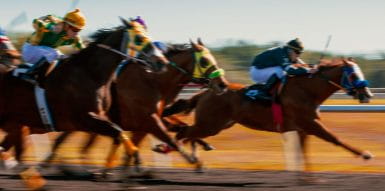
column 356, row 27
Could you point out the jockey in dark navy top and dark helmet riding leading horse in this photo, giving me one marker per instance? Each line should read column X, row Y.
column 270, row 66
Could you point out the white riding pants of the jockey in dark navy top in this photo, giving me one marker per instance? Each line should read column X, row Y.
column 260, row 76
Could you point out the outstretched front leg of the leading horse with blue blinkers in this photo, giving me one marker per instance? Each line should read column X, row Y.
column 316, row 128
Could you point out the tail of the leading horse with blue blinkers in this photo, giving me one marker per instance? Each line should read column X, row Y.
column 182, row 105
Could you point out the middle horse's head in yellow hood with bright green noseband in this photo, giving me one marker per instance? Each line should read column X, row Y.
column 206, row 69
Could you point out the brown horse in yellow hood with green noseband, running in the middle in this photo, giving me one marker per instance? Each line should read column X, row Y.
column 139, row 96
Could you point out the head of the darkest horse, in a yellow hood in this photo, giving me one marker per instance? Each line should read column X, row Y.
column 140, row 45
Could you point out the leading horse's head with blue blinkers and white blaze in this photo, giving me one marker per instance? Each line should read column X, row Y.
column 354, row 82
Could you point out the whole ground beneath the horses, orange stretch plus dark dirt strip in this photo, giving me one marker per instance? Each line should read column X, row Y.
column 254, row 157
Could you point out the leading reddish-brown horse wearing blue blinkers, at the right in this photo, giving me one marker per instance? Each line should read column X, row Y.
column 300, row 99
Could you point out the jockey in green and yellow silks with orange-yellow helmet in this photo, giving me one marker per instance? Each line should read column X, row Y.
column 54, row 38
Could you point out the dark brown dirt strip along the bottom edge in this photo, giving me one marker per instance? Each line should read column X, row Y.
column 212, row 179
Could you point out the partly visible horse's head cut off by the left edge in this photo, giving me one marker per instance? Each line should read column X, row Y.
column 8, row 53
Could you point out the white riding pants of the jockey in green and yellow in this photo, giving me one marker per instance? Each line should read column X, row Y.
column 32, row 54
